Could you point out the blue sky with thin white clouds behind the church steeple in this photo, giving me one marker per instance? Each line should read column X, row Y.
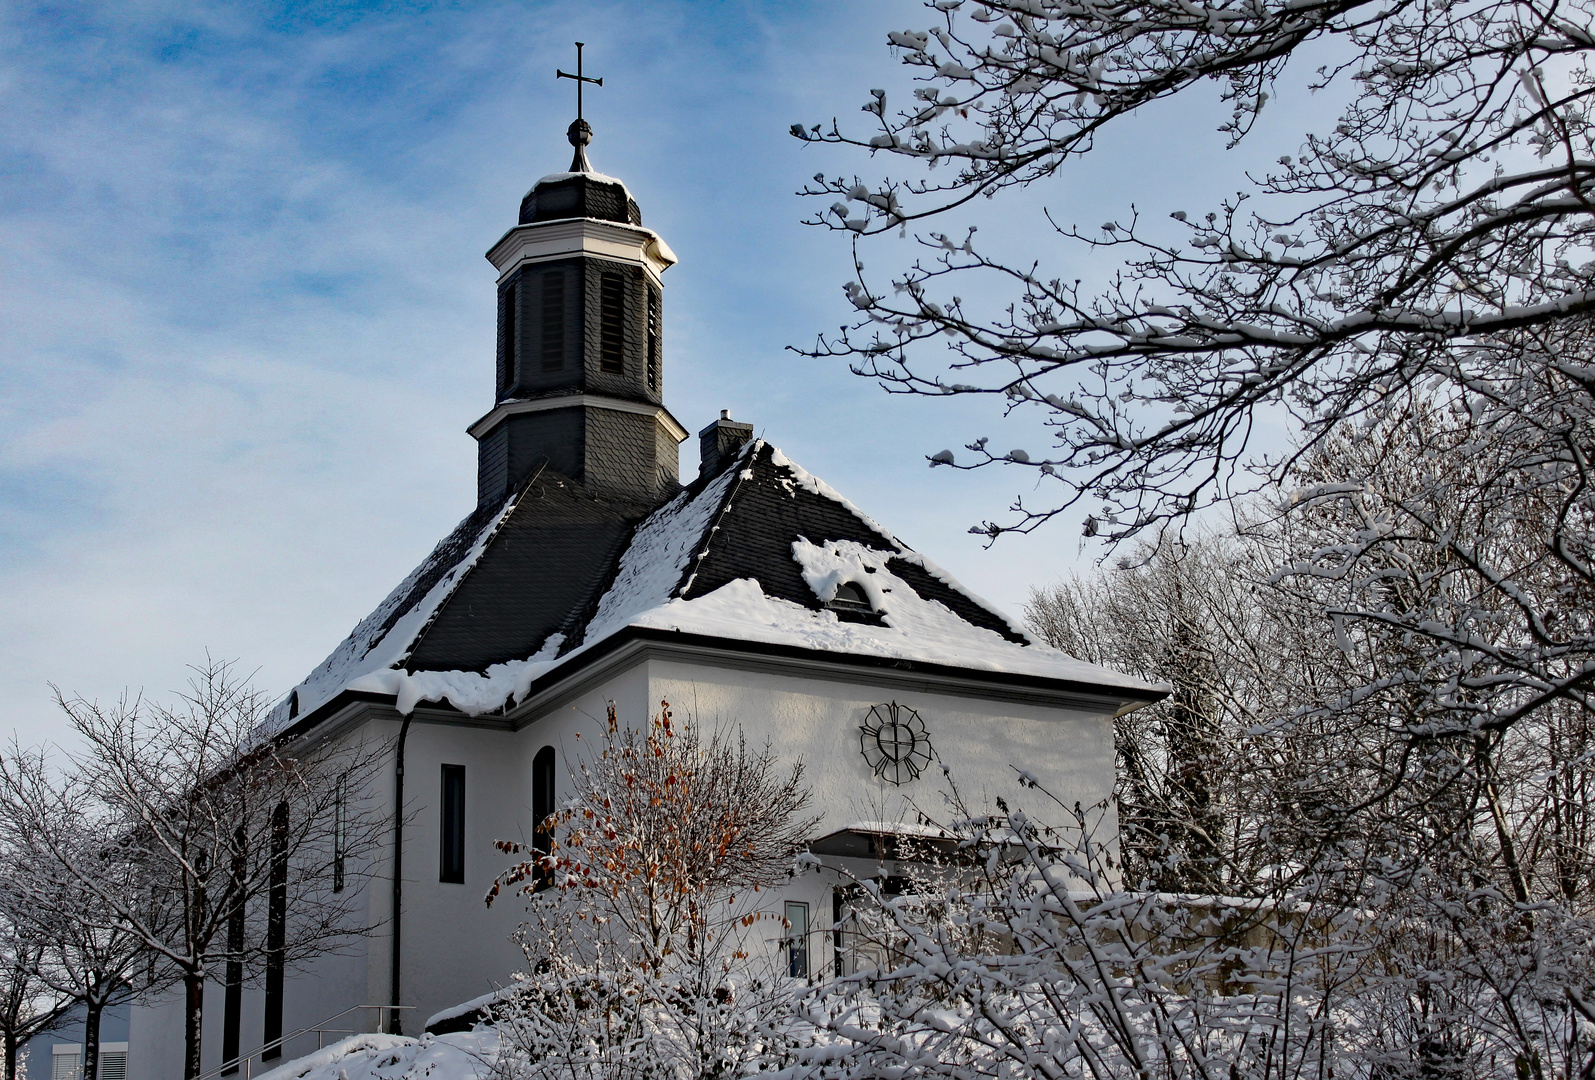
column 246, row 317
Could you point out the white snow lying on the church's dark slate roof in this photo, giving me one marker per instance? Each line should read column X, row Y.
column 652, row 589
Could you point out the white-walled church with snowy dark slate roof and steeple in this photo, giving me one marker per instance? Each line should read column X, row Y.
column 755, row 597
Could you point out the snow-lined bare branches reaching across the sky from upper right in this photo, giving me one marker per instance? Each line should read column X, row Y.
column 1430, row 253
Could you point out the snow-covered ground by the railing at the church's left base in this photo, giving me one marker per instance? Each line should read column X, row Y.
column 459, row 1057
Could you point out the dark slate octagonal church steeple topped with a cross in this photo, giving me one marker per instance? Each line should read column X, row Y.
column 580, row 374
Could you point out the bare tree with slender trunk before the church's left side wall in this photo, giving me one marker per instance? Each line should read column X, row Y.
column 234, row 834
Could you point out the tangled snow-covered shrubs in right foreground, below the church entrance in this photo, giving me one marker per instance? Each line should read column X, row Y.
column 1025, row 958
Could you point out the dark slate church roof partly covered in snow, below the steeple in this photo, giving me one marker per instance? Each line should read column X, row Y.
column 747, row 554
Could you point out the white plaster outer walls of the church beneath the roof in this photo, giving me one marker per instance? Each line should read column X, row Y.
column 455, row 948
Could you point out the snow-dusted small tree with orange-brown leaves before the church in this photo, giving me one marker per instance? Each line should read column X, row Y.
column 660, row 865
